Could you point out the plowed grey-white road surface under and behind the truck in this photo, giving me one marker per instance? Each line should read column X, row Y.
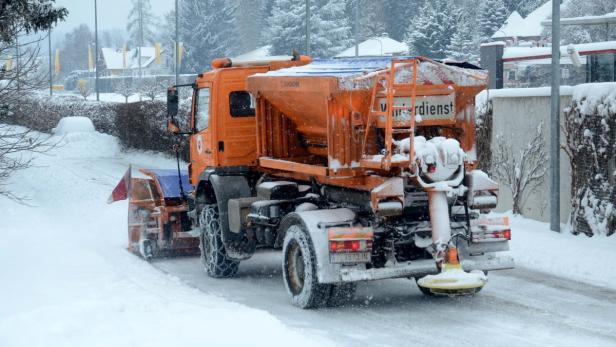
column 517, row 307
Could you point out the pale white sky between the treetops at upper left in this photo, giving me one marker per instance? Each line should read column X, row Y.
column 111, row 13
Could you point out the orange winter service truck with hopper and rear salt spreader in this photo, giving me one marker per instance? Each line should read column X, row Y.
column 358, row 169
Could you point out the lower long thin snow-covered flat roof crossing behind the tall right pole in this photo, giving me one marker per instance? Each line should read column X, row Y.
column 529, row 53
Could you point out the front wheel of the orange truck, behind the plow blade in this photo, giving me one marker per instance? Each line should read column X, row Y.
column 213, row 254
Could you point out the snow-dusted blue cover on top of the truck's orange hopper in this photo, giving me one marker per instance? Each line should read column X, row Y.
column 349, row 69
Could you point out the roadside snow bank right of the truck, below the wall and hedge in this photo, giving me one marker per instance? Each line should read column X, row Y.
column 579, row 258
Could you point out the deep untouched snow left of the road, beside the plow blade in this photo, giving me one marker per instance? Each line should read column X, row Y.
column 67, row 279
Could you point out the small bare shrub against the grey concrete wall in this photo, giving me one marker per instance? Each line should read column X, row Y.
column 521, row 172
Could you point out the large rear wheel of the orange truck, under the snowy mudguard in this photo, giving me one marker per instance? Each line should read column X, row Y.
column 299, row 270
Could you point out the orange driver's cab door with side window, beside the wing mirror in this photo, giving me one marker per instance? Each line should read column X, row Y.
column 202, row 154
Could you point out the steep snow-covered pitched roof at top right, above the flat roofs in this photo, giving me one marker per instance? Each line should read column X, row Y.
column 526, row 27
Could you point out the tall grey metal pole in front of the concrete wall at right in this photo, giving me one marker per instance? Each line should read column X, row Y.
column 555, row 121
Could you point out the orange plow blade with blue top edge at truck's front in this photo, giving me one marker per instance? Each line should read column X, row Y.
column 158, row 221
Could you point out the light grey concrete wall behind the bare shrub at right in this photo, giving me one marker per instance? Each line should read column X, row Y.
column 516, row 117
